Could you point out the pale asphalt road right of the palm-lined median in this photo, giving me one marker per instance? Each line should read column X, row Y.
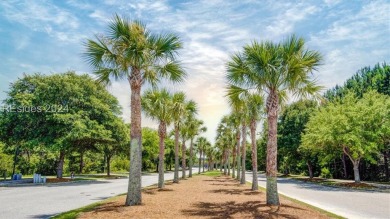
column 343, row 202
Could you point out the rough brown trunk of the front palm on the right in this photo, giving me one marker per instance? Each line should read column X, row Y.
column 272, row 148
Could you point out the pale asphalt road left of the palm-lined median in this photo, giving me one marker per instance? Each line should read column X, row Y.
column 48, row 200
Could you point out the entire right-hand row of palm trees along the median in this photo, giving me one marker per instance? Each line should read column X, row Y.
column 271, row 72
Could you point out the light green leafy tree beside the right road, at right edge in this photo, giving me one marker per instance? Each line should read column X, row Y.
column 351, row 125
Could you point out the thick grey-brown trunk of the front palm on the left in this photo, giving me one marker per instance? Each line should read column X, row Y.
column 134, row 196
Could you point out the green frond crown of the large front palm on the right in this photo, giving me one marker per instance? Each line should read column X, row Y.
column 282, row 68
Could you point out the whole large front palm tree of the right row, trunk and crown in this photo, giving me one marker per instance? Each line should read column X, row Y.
column 276, row 69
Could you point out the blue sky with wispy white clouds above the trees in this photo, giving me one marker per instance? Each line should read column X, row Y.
column 47, row 37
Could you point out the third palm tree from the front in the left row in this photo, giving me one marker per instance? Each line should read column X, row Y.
column 180, row 109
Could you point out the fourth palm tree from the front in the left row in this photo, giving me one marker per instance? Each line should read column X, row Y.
column 194, row 128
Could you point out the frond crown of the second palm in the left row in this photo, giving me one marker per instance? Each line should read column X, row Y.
column 157, row 104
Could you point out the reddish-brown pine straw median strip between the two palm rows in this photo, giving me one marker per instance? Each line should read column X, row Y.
column 202, row 197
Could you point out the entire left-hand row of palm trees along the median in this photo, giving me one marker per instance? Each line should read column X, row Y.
column 128, row 50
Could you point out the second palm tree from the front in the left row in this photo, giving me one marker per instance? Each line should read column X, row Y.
column 157, row 104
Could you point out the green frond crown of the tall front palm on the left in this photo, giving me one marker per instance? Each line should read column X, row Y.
column 129, row 46
